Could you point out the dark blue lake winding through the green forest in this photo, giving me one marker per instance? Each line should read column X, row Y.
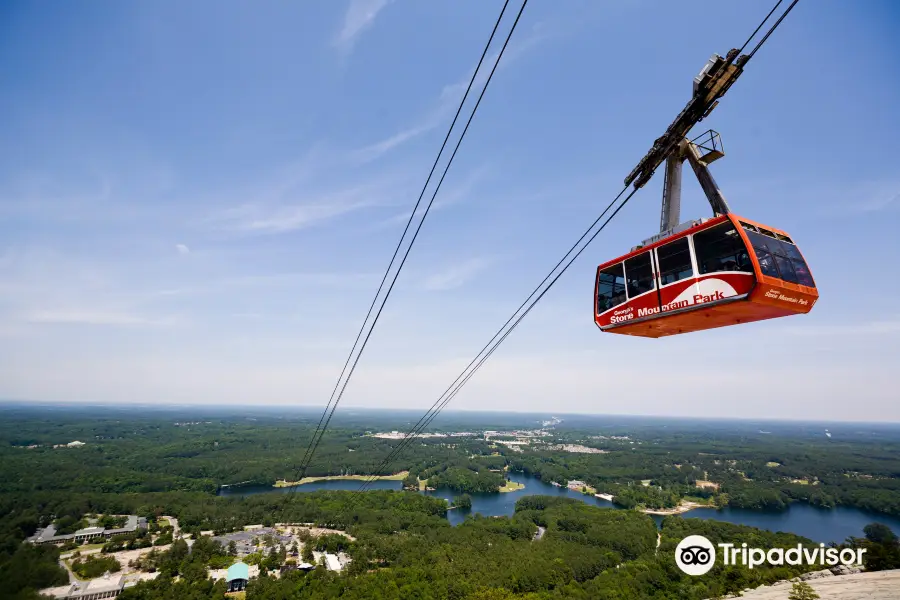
column 818, row 524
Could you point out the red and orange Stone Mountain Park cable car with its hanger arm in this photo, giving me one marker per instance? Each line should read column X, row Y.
column 703, row 274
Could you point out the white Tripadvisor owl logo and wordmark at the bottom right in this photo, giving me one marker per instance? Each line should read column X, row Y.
column 696, row 555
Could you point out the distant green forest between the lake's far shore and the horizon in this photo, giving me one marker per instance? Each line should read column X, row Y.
column 155, row 455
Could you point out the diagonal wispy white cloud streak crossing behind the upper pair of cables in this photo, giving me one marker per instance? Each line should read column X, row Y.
column 450, row 96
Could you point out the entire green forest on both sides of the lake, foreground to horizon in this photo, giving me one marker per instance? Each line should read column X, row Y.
column 405, row 547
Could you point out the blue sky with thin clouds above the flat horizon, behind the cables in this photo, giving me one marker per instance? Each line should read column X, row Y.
column 197, row 201
